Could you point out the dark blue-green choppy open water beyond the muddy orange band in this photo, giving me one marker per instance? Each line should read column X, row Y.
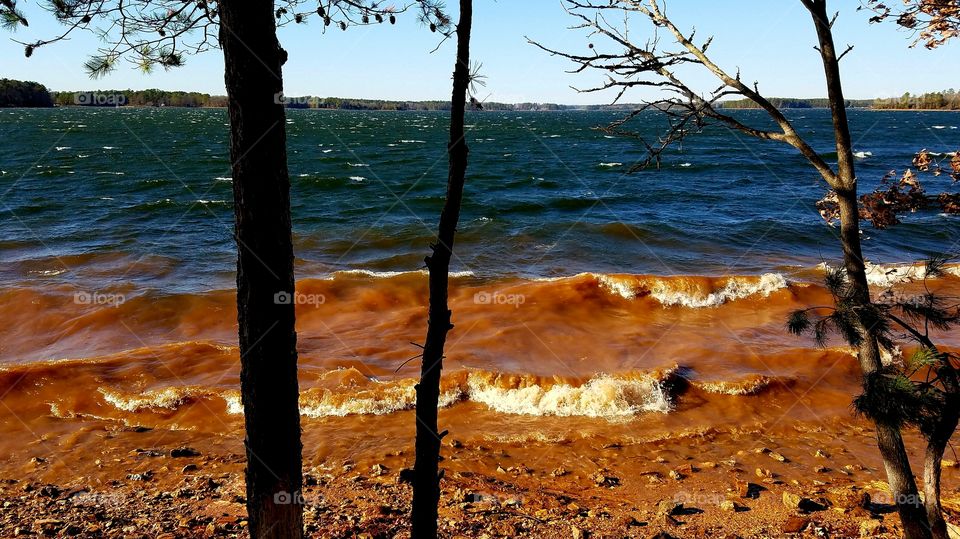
column 547, row 194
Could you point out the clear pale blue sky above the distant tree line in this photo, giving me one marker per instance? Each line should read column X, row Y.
column 771, row 41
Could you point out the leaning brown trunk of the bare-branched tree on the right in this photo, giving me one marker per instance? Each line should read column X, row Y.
column 899, row 474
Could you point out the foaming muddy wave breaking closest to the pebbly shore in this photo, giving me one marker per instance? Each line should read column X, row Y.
column 602, row 396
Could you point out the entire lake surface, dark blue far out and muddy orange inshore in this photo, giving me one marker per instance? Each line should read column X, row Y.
column 587, row 300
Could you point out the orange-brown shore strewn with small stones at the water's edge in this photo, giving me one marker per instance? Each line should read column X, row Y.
column 719, row 484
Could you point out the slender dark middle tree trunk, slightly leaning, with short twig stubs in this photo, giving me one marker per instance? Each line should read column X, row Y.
column 426, row 479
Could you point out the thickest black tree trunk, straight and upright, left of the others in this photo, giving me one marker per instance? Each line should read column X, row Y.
column 265, row 282
